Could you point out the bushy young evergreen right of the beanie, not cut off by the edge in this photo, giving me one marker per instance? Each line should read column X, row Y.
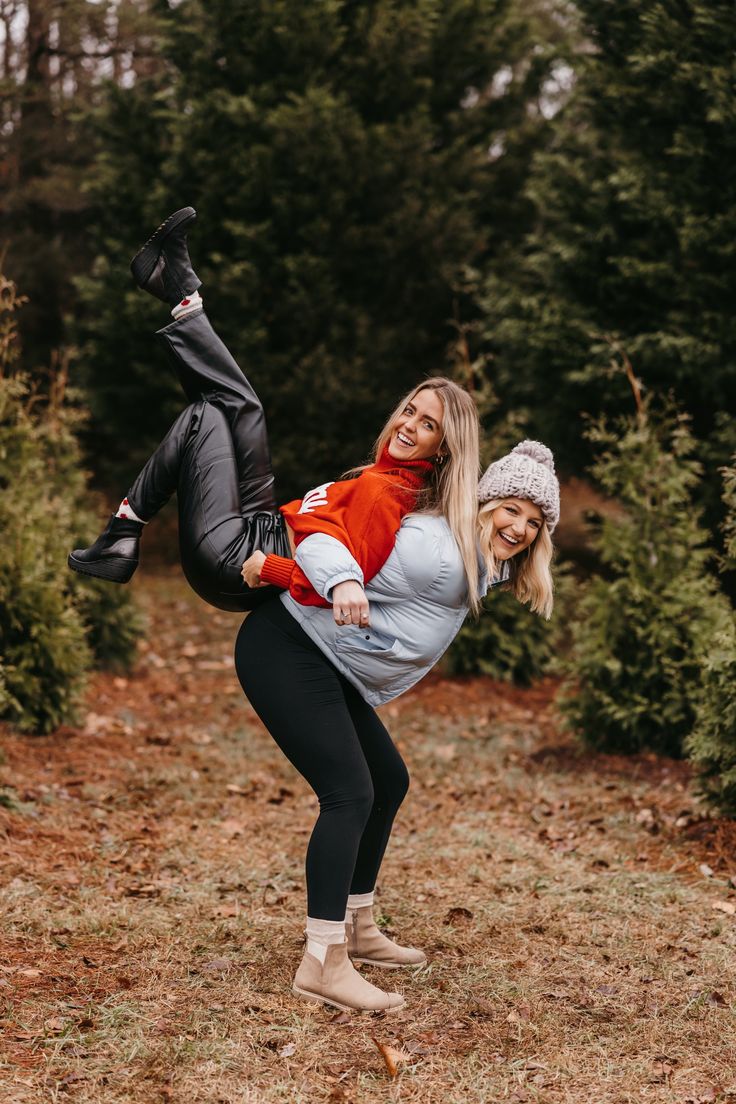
column 644, row 627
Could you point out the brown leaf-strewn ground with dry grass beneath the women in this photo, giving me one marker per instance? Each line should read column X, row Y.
column 579, row 911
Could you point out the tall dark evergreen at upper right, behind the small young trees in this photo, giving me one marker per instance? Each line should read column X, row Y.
column 635, row 236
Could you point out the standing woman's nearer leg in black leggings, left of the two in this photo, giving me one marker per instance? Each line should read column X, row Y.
column 302, row 700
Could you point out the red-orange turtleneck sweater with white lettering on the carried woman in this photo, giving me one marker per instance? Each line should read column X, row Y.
column 364, row 514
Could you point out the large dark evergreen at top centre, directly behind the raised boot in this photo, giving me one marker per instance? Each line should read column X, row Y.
column 338, row 155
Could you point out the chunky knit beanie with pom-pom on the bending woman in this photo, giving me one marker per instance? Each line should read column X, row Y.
column 527, row 472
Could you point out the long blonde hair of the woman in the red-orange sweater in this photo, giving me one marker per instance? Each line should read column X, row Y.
column 453, row 486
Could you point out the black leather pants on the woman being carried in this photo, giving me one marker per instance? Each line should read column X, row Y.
column 217, row 458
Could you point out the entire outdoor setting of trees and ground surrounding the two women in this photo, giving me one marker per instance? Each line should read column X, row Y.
column 538, row 198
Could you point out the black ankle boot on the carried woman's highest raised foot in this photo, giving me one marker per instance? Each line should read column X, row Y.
column 163, row 267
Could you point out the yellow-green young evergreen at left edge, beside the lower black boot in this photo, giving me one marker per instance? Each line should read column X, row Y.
column 51, row 623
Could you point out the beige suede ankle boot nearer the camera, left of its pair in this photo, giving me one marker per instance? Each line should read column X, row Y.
column 338, row 983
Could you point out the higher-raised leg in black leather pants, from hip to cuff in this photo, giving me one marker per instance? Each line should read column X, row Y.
column 207, row 370
